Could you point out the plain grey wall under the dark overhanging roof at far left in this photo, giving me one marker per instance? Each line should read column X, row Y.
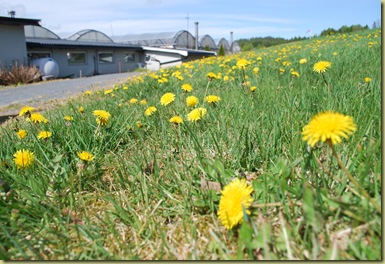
column 12, row 45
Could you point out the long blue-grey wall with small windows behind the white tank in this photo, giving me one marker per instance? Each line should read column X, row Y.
column 91, row 66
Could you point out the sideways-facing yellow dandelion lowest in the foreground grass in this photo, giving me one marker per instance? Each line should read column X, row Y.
column 235, row 197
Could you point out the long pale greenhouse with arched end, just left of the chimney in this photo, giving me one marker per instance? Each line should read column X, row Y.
column 179, row 39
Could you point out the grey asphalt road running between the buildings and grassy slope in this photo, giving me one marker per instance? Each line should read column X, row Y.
column 44, row 94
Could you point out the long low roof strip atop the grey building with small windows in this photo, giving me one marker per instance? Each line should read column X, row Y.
column 65, row 43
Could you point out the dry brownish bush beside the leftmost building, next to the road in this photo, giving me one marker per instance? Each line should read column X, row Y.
column 19, row 74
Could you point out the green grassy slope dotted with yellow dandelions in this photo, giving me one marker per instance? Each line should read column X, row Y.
column 144, row 195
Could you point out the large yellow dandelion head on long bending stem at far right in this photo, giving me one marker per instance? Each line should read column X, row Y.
column 328, row 126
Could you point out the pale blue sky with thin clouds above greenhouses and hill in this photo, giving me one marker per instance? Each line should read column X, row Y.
column 245, row 18
